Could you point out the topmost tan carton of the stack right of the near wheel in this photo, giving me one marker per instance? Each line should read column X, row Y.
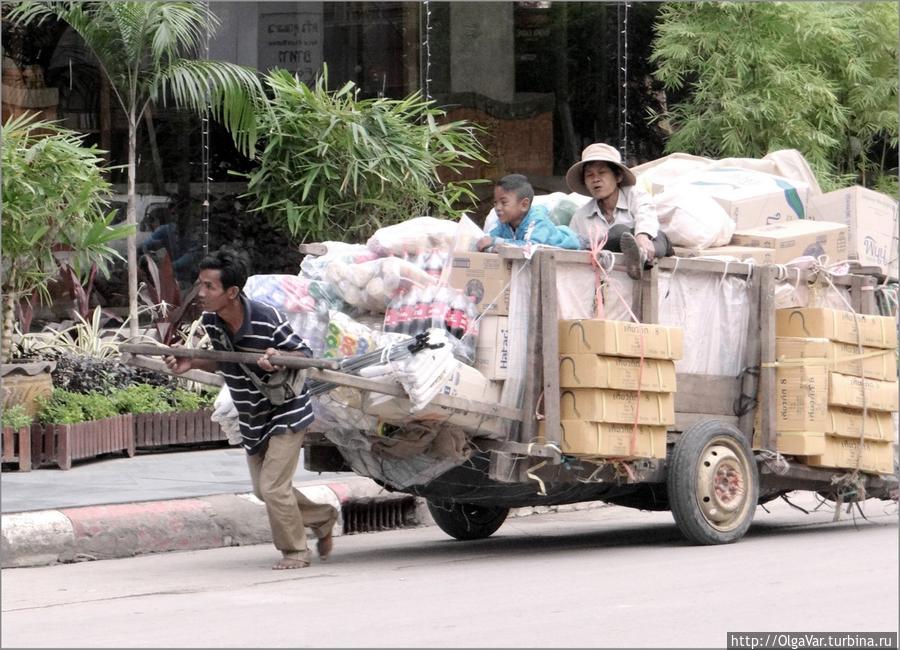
column 837, row 325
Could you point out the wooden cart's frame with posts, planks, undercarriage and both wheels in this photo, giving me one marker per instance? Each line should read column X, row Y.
column 710, row 478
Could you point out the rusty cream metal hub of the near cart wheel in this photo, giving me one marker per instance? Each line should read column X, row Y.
column 721, row 485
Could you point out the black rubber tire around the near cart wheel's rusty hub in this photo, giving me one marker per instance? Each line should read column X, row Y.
column 682, row 483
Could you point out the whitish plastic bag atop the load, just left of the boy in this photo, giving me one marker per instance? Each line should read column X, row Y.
column 424, row 233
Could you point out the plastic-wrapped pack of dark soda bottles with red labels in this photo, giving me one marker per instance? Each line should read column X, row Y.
column 423, row 308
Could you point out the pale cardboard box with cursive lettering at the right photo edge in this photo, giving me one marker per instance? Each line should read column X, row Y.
column 872, row 219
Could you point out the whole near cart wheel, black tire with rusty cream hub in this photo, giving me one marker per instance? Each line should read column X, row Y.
column 712, row 483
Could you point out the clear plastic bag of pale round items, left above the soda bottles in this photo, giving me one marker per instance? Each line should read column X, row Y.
column 370, row 286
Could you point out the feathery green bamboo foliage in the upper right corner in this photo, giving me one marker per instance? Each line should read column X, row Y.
column 818, row 77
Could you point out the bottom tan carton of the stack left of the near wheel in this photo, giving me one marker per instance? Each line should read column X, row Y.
column 607, row 439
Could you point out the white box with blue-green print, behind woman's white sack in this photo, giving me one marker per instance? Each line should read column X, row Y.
column 751, row 198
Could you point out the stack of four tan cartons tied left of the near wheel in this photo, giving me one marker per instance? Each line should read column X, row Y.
column 606, row 387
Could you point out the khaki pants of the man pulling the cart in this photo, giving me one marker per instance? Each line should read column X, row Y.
column 272, row 472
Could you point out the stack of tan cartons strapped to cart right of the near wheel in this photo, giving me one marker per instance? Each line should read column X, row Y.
column 823, row 382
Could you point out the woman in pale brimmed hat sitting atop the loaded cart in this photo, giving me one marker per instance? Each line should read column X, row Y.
column 619, row 210
